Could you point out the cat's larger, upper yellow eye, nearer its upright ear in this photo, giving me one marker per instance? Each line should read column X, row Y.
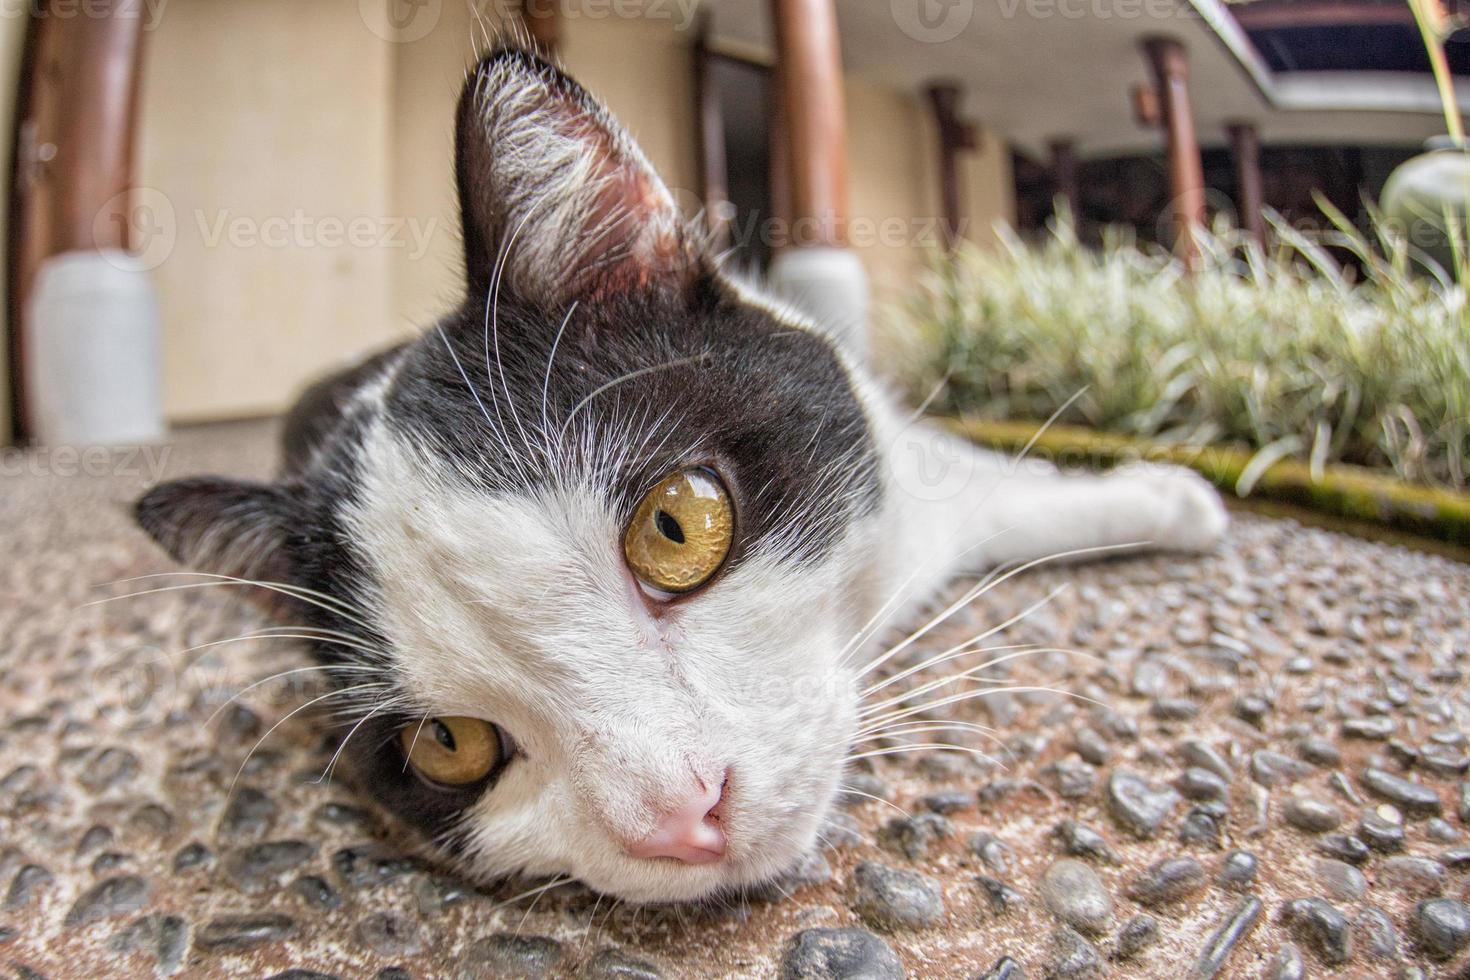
column 681, row 533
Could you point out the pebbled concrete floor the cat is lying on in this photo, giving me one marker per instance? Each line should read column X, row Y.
column 1284, row 721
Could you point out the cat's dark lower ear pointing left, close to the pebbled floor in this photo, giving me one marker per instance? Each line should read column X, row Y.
column 224, row 527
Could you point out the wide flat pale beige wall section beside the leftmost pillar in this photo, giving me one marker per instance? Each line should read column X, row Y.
column 265, row 129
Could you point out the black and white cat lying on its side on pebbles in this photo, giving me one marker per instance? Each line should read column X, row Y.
column 596, row 552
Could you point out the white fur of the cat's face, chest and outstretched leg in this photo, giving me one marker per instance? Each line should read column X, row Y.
column 520, row 609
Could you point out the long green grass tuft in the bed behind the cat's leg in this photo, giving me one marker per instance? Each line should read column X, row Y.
column 1286, row 353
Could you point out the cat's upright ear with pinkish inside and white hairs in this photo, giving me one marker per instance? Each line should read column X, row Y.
column 552, row 184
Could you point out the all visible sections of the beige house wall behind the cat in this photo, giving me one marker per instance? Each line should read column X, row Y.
column 290, row 111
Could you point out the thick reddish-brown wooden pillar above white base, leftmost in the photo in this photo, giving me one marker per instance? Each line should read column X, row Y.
column 73, row 164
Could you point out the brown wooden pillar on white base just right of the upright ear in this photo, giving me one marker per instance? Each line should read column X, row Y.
column 811, row 93
